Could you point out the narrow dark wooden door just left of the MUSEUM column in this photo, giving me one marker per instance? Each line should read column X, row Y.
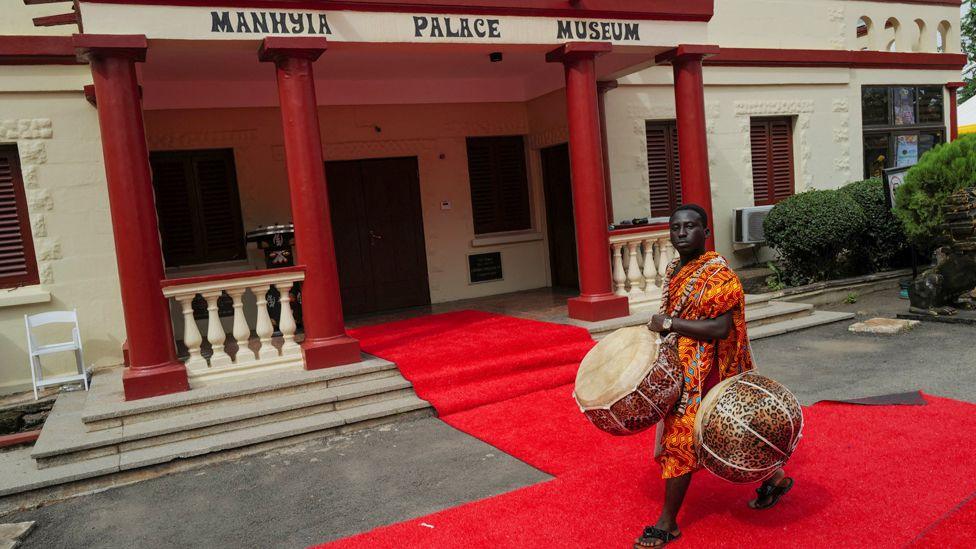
column 557, row 183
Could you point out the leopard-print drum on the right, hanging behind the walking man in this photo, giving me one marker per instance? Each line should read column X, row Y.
column 747, row 427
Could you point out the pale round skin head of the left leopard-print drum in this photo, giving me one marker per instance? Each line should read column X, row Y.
column 615, row 367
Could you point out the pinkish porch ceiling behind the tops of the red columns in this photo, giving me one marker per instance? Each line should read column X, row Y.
column 213, row 74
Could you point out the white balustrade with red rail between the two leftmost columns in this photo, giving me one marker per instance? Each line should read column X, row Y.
column 250, row 345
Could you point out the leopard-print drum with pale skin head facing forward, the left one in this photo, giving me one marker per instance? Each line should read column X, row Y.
column 628, row 381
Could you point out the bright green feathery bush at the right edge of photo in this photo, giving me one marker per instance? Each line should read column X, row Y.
column 940, row 172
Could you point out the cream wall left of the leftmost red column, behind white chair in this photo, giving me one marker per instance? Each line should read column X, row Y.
column 56, row 133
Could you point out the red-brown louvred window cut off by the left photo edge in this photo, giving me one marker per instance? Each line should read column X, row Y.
column 18, row 266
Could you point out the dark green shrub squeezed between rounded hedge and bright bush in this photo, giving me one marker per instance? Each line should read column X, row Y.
column 883, row 242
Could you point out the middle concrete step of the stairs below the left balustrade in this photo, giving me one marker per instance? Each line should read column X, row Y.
column 66, row 441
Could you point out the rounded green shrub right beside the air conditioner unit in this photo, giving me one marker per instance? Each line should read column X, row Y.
column 815, row 232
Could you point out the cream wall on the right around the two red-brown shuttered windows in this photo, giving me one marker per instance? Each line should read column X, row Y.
column 827, row 131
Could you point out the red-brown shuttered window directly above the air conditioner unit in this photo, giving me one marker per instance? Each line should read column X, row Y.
column 772, row 159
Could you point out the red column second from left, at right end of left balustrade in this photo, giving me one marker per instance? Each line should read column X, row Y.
column 326, row 343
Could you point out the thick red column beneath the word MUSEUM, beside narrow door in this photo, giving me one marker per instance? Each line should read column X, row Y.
column 596, row 300
